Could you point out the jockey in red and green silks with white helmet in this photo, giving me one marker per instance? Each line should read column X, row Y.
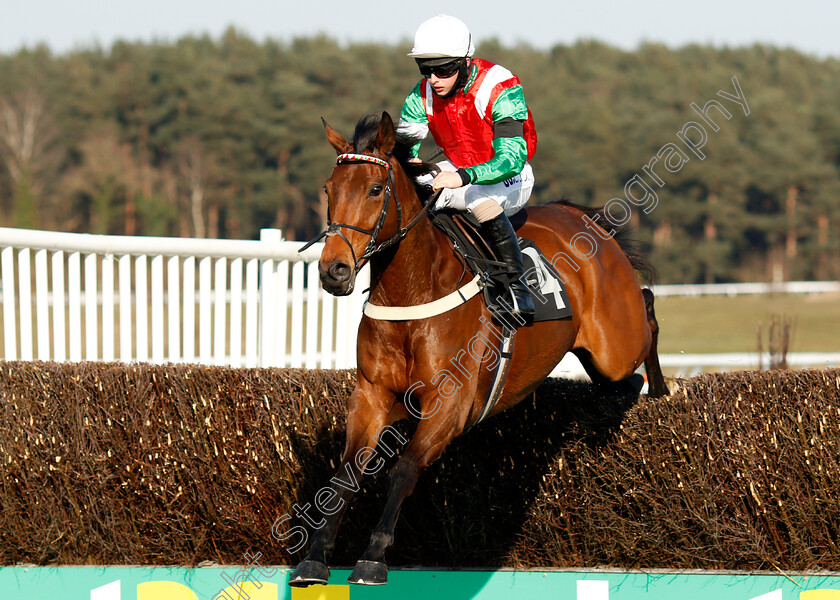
column 477, row 115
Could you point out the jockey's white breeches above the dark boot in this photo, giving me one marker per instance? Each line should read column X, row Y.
column 512, row 194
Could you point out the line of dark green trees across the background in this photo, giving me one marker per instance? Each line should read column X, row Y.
column 222, row 137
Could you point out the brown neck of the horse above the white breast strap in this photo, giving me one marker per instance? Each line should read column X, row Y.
column 422, row 269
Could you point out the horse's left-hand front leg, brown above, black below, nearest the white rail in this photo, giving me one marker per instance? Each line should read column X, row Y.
column 368, row 420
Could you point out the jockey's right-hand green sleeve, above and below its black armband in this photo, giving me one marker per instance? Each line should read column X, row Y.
column 509, row 153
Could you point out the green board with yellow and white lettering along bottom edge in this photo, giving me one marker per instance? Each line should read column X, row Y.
column 161, row 583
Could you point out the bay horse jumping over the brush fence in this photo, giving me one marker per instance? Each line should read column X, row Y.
column 408, row 367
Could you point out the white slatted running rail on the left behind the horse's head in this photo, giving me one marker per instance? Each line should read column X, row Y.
column 80, row 297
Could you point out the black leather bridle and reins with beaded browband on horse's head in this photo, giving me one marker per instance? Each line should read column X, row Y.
column 373, row 246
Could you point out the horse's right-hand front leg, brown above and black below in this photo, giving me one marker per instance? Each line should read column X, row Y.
column 428, row 443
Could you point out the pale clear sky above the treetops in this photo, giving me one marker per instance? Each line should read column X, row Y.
column 810, row 26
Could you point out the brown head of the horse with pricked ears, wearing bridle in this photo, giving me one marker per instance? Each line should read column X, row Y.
column 365, row 214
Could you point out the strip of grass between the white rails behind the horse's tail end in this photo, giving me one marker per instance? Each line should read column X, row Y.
column 709, row 324
